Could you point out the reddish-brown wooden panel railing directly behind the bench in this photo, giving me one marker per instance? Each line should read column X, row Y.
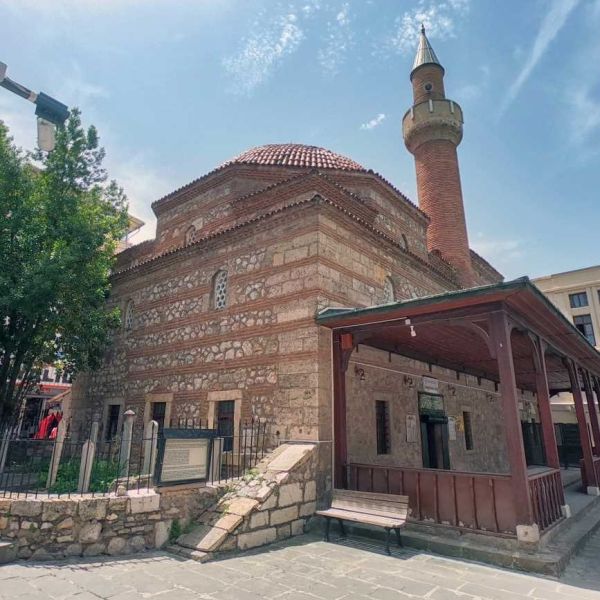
column 478, row 501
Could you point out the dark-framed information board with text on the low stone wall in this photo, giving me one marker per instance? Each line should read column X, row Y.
column 184, row 456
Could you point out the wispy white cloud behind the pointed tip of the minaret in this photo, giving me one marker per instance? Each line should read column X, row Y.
column 438, row 17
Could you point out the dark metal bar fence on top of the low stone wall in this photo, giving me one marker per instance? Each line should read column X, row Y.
column 75, row 464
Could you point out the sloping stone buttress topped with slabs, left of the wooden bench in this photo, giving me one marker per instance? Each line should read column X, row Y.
column 270, row 503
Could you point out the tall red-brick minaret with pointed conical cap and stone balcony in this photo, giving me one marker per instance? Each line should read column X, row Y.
column 432, row 130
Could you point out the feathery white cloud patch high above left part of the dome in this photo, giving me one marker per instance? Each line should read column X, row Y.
column 263, row 51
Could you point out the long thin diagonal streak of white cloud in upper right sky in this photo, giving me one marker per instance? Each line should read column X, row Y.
column 551, row 25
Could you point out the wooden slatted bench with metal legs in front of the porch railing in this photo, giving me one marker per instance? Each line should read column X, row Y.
column 389, row 511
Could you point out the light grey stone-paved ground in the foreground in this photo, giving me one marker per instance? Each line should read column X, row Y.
column 303, row 569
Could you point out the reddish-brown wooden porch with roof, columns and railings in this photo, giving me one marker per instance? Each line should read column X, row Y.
column 509, row 334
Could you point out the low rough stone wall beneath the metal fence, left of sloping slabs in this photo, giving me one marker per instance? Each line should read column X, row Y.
column 49, row 528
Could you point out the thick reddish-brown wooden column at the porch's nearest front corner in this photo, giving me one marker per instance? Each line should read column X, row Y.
column 500, row 332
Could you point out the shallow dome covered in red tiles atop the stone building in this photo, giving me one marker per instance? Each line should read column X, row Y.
column 295, row 155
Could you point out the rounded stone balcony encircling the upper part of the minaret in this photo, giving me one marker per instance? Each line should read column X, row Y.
column 432, row 120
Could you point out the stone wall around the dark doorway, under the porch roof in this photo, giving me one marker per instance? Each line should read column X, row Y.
column 399, row 380
